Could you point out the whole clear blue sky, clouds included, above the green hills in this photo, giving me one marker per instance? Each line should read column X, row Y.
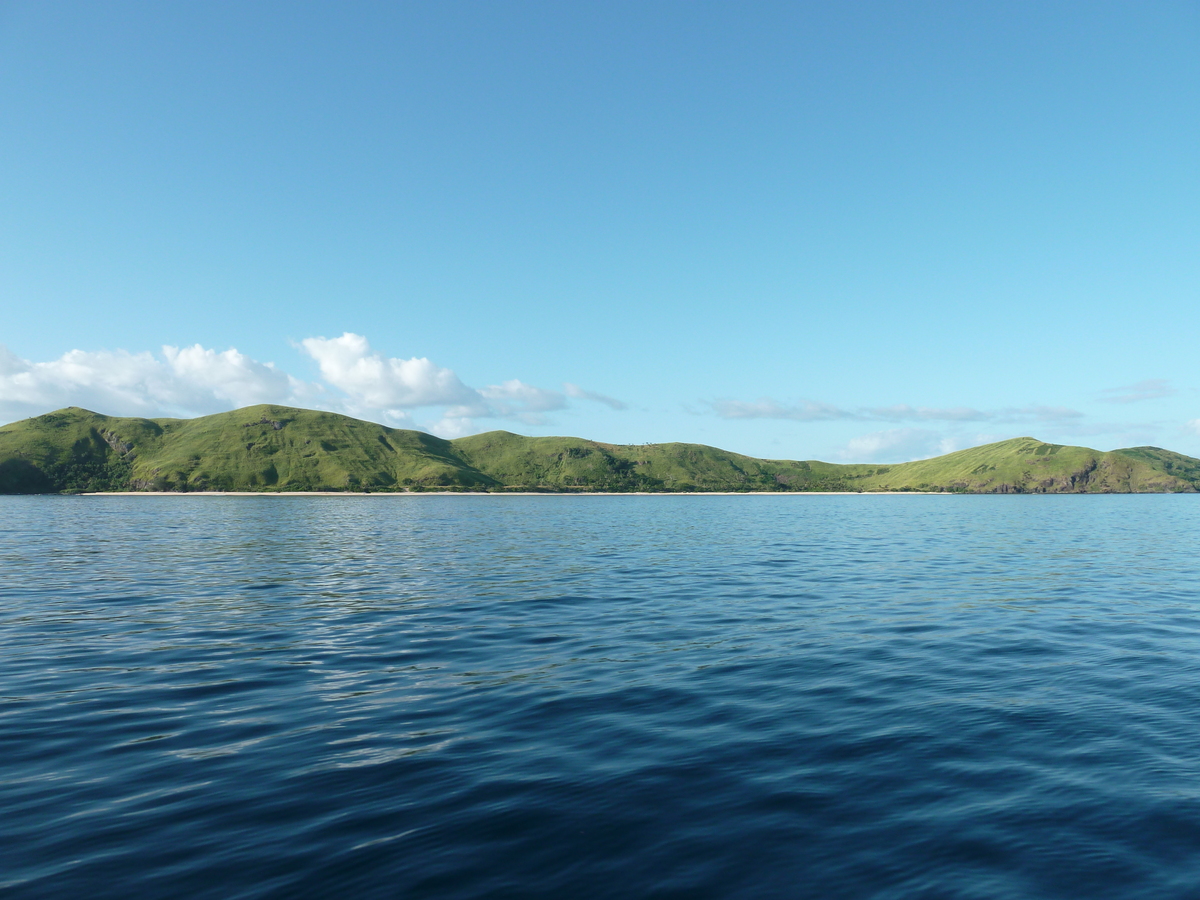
column 806, row 231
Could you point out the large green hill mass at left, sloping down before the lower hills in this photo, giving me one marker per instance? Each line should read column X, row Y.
column 259, row 448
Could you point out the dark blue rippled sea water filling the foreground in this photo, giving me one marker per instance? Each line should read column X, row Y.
column 601, row 697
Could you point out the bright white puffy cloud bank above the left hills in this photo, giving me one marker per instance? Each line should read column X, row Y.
column 197, row 381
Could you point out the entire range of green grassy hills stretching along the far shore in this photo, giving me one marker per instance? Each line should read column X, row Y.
column 271, row 448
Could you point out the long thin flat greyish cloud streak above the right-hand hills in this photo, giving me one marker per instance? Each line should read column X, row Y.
column 813, row 411
